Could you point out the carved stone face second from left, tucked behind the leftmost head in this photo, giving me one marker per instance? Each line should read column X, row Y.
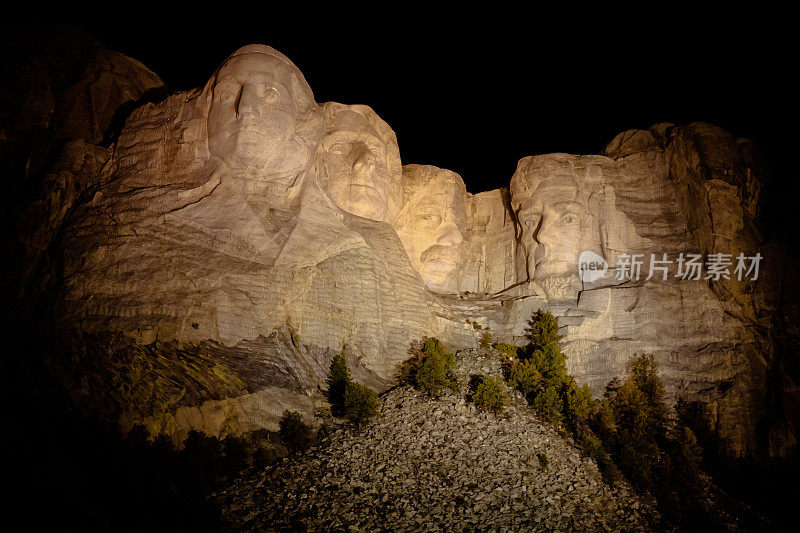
column 359, row 165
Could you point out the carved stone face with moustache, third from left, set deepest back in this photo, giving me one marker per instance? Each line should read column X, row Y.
column 430, row 227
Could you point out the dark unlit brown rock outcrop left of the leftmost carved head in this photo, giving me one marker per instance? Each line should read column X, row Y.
column 64, row 98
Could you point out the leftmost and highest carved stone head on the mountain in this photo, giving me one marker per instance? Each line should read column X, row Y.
column 254, row 113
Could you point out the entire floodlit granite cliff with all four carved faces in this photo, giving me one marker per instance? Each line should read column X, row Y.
column 245, row 221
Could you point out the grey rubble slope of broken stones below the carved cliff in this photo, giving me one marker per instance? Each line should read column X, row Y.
column 437, row 464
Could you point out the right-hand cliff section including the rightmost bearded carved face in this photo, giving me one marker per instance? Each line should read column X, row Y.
column 669, row 190
